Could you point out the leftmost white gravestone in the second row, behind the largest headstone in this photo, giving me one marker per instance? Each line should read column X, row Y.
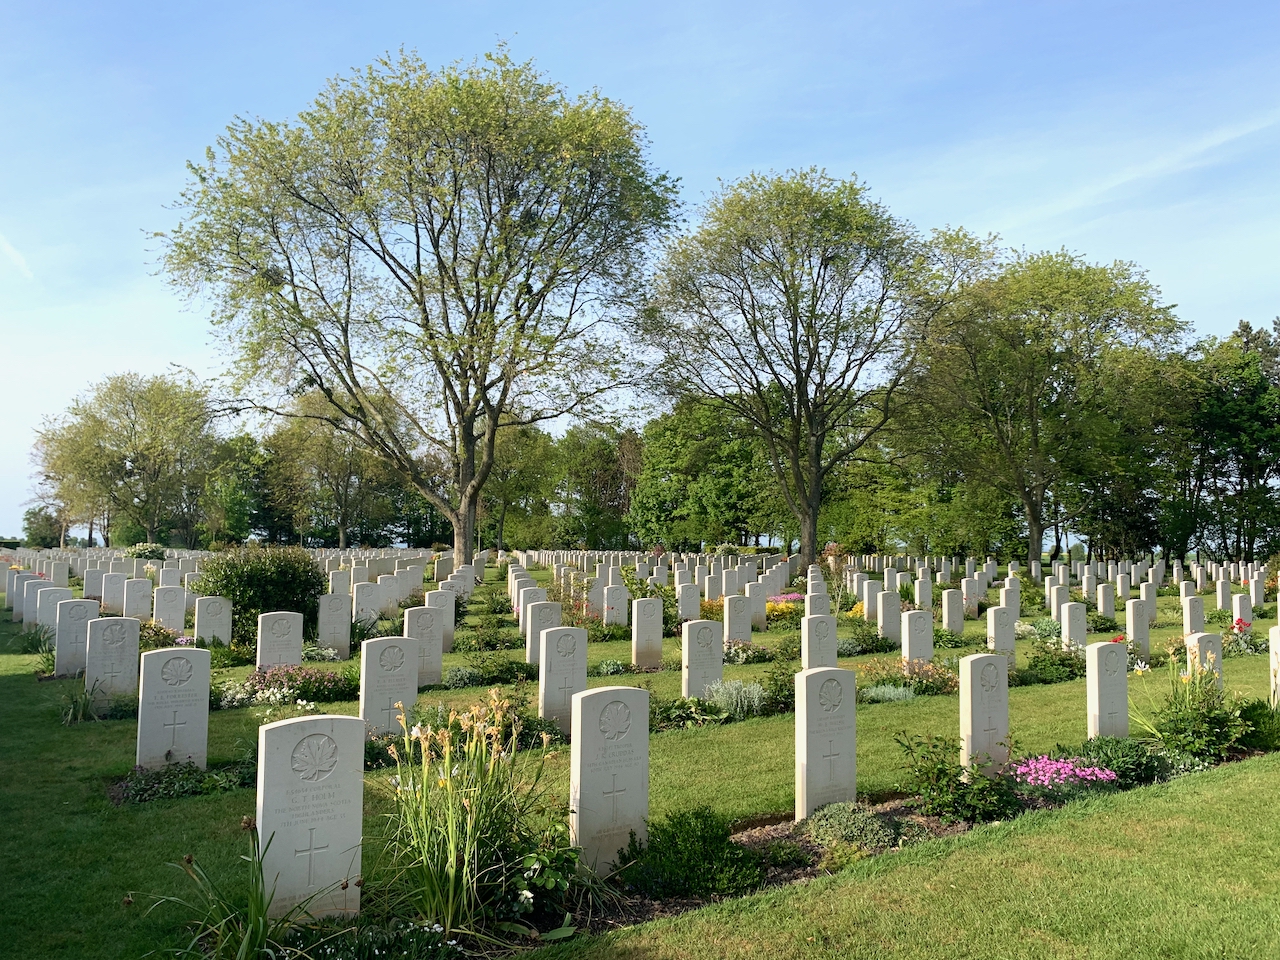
column 173, row 707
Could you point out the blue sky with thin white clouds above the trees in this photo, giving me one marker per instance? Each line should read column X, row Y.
column 1136, row 131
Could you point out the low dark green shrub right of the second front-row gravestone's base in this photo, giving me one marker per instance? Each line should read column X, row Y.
column 689, row 854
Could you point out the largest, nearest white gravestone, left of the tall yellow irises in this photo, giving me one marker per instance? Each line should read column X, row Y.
column 310, row 810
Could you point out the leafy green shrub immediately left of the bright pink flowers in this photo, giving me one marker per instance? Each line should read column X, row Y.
column 948, row 790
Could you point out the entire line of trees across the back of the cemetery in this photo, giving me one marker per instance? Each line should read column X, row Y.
column 432, row 269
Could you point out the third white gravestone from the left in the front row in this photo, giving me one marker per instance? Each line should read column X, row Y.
column 826, row 739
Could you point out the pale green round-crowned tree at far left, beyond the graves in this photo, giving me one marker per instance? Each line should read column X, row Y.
column 135, row 449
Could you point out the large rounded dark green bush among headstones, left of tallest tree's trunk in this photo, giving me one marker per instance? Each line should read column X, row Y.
column 263, row 580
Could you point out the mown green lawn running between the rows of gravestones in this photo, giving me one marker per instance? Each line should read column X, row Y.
column 70, row 857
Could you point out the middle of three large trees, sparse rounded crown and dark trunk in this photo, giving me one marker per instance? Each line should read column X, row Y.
column 796, row 305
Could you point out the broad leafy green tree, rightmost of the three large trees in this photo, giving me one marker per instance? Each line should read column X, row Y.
column 1013, row 388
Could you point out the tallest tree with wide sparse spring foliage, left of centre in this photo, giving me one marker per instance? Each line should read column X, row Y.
column 435, row 253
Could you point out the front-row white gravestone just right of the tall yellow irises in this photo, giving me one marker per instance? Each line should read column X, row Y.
column 609, row 772
